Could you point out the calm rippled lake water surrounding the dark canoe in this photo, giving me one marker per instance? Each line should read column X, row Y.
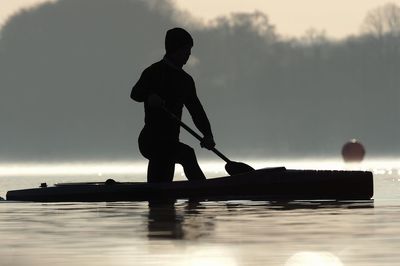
column 226, row 233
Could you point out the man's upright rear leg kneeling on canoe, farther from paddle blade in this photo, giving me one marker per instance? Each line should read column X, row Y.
column 160, row 170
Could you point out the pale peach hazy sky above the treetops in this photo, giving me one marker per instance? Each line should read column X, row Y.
column 339, row 18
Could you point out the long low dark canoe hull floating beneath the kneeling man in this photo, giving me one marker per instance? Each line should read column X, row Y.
column 261, row 184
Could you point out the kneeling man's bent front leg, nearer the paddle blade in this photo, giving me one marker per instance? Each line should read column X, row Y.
column 187, row 158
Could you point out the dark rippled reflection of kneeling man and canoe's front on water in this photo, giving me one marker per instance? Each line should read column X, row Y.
column 168, row 220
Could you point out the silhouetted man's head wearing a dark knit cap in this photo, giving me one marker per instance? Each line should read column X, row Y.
column 178, row 45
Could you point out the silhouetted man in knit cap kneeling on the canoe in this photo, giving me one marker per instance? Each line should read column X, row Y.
column 166, row 85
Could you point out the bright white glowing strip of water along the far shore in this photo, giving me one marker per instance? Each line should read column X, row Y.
column 99, row 168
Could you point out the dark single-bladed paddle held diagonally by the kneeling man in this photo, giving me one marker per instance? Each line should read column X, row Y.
column 231, row 167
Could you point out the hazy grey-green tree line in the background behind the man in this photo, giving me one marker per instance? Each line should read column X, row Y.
column 68, row 66
